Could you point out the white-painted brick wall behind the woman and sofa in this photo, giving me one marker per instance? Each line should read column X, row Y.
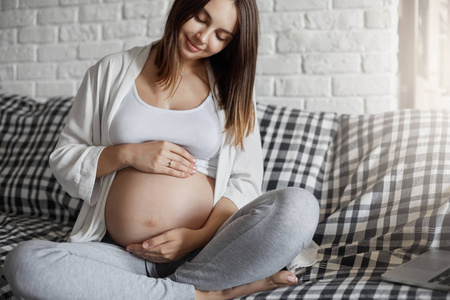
column 319, row 55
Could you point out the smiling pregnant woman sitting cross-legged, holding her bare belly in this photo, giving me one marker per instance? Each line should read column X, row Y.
column 163, row 147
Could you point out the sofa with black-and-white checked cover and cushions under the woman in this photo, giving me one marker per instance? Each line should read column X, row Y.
column 382, row 182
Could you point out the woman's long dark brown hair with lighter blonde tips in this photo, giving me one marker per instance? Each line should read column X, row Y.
column 234, row 67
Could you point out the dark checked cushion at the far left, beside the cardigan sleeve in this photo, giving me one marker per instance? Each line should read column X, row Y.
column 29, row 131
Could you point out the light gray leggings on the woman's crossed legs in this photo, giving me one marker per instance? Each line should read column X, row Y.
column 254, row 243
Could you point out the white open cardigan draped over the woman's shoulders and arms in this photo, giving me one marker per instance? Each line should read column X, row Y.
column 86, row 134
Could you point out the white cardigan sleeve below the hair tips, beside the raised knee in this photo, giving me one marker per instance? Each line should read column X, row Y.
column 245, row 180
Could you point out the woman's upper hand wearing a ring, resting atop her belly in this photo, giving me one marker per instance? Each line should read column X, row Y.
column 162, row 157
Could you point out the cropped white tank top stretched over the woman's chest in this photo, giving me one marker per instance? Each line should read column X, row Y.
column 197, row 130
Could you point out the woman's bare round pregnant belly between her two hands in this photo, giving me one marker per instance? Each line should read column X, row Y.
column 142, row 205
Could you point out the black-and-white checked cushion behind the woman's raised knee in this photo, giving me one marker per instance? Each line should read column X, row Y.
column 295, row 145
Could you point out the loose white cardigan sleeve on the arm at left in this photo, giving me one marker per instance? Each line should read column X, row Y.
column 74, row 159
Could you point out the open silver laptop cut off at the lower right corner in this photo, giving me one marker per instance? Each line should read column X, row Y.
column 430, row 270
